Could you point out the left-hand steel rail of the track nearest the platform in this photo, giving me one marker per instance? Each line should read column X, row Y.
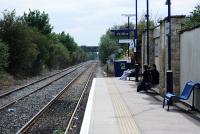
column 31, row 122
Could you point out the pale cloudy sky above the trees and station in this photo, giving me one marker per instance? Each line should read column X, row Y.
column 87, row 20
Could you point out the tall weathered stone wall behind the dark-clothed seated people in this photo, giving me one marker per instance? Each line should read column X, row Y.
column 158, row 51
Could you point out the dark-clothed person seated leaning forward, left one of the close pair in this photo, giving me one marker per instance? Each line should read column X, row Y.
column 144, row 85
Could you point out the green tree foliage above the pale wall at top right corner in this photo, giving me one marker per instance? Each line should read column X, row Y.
column 193, row 19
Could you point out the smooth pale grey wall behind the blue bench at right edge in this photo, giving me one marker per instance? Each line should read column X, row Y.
column 190, row 60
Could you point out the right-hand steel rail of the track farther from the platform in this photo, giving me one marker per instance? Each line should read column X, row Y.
column 15, row 100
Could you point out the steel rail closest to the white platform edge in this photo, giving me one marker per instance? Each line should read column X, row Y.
column 78, row 103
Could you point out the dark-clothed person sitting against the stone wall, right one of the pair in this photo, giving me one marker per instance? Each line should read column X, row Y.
column 154, row 75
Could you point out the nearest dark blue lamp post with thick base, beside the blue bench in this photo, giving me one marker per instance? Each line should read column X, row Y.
column 169, row 71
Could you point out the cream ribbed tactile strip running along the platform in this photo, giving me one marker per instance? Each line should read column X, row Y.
column 125, row 120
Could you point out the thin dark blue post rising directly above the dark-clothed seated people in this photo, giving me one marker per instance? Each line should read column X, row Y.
column 147, row 17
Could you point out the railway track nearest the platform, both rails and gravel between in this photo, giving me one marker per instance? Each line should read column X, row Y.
column 59, row 113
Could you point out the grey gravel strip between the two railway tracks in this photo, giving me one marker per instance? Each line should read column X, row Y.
column 14, row 116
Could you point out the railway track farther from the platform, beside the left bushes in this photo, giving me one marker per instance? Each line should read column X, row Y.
column 15, row 95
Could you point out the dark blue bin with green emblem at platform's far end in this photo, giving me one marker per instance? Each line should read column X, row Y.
column 120, row 66
